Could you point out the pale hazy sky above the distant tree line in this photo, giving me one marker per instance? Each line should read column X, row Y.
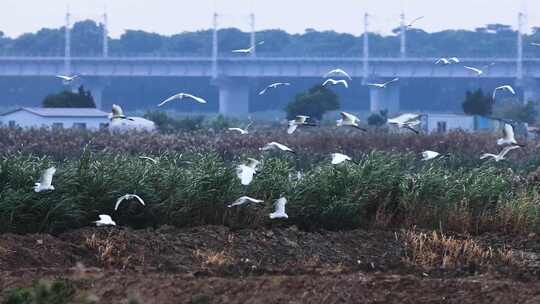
column 173, row 16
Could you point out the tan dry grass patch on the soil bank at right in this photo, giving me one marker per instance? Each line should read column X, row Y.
column 437, row 250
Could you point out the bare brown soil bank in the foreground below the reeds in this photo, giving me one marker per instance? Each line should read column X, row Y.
column 282, row 265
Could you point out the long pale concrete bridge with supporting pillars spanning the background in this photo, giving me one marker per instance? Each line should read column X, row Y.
column 230, row 74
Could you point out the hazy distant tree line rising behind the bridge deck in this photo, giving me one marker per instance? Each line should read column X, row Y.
column 493, row 40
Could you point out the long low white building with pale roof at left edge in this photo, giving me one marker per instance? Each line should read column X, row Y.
column 83, row 118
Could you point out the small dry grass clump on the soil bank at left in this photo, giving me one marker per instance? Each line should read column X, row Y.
column 108, row 252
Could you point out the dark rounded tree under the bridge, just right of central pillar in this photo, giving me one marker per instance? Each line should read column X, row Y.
column 314, row 103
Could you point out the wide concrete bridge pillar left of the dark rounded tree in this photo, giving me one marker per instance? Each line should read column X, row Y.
column 233, row 96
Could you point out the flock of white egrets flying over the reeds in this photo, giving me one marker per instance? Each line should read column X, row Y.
column 246, row 172
